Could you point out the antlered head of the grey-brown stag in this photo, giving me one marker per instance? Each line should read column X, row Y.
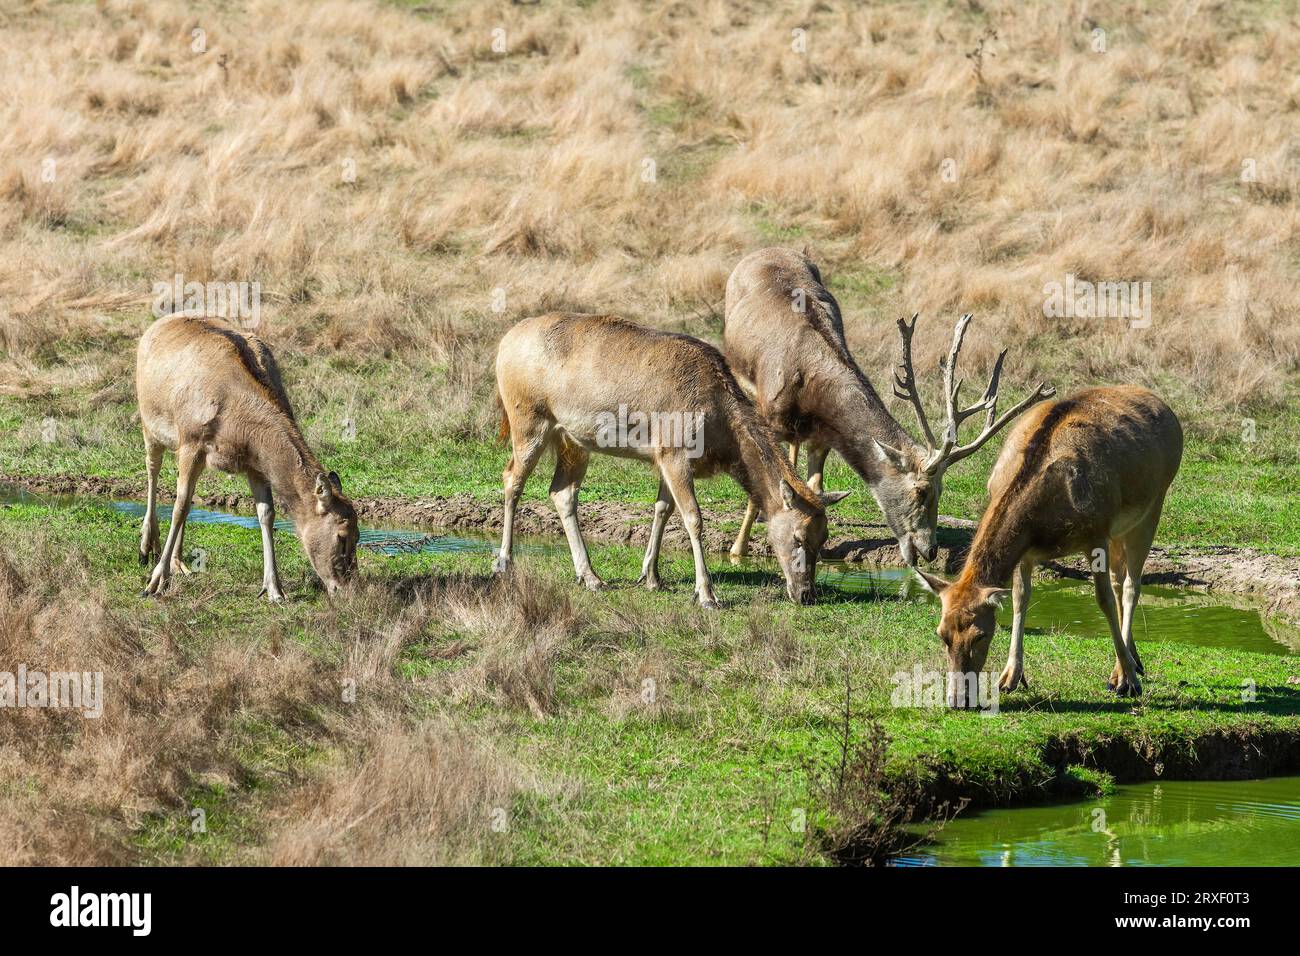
column 912, row 478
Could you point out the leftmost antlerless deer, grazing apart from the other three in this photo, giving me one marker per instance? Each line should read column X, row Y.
column 214, row 397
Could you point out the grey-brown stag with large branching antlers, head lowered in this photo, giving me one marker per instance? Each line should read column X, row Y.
column 783, row 334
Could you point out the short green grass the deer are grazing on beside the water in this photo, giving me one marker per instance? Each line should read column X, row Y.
column 716, row 768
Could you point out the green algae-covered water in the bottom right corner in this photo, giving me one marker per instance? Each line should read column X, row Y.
column 1167, row 824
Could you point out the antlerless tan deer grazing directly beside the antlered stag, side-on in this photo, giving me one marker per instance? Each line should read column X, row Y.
column 574, row 383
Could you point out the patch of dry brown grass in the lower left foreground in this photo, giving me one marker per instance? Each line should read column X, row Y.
column 378, row 780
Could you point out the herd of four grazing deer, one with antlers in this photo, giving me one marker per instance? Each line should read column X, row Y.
column 1082, row 474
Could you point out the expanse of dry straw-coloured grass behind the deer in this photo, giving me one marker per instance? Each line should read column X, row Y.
column 523, row 172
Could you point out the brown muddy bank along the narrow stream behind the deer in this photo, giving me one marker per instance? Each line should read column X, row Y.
column 1268, row 578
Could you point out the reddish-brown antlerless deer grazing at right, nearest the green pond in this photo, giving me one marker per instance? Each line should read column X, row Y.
column 1085, row 474
